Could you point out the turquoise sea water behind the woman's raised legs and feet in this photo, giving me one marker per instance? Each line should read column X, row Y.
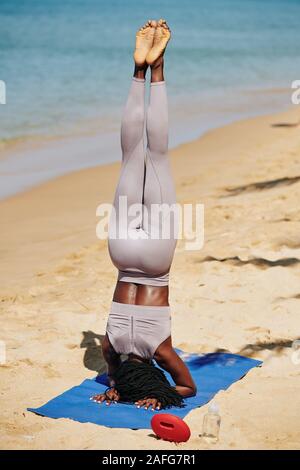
column 67, row 63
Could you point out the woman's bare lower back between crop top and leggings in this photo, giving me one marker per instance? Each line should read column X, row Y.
column 140, row 294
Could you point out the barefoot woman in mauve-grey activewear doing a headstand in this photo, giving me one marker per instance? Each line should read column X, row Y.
column 139, row 319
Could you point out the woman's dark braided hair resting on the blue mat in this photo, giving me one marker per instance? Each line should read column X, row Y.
column 138, row 380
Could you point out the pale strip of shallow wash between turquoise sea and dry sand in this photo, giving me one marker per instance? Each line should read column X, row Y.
column 30, row 161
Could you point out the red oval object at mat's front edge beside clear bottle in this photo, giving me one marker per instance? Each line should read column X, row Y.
column 170, row 428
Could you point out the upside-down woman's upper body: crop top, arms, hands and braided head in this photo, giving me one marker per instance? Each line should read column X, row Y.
column 143, row 333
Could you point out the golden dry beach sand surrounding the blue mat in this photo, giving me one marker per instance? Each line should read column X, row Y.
column 239, row 293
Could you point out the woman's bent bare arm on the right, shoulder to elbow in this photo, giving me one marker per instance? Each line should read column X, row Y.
column 168, row 359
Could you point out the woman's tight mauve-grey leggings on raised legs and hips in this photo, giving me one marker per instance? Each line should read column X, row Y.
column 145, row 179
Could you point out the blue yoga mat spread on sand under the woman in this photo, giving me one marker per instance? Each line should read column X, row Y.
column 211, row 372
